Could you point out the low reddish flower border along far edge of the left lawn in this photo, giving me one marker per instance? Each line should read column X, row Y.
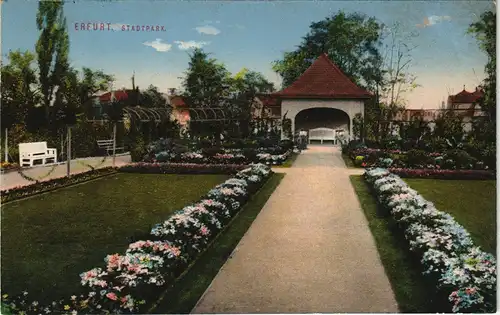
column 181, row 168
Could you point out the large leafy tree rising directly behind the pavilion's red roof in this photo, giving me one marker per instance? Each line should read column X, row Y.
column 351, row 41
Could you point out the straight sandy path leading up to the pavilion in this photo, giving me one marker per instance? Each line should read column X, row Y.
column 310, row 249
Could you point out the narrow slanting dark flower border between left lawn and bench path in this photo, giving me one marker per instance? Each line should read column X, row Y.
column 48, row 185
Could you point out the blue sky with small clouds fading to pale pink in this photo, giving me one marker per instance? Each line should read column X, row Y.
column 250, row 34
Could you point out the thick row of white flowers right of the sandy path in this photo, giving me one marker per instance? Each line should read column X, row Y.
column 461, row 272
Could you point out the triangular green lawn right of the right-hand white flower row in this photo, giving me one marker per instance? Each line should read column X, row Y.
column 471, row 202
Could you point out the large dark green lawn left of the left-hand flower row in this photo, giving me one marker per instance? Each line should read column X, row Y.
column 48, row 240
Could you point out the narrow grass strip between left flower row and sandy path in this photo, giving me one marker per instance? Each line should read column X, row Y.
column 186, row 293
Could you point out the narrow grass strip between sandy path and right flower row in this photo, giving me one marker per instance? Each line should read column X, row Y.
column 410, row 289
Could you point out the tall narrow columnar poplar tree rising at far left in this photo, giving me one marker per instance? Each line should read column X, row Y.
column 52, row 49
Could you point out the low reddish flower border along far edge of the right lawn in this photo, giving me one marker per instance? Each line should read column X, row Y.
column 443, row 174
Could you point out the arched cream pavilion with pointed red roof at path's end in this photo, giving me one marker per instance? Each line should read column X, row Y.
column 323, row 101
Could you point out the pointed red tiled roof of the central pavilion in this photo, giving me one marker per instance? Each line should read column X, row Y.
column 323, row 79
